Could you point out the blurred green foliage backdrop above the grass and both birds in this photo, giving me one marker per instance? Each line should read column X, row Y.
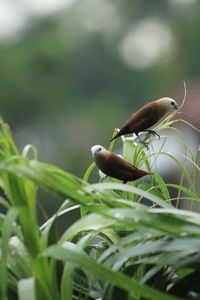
column 71, row 71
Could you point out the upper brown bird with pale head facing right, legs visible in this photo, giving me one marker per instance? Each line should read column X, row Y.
column 146, row 117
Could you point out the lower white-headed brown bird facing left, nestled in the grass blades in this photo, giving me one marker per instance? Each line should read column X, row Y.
column 114, row 166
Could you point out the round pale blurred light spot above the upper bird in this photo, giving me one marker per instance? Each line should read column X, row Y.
column 147, row 42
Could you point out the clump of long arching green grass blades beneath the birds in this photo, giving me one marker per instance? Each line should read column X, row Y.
column 119, row 248
